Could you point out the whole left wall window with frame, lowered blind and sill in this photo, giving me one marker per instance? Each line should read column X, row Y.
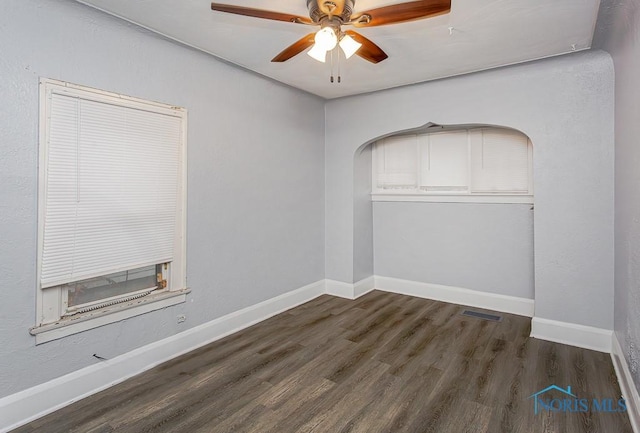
column 111, row 208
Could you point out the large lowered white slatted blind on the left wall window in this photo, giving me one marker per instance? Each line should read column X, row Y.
column 111, row 188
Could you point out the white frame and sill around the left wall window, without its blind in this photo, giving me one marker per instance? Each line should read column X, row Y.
column 51, row 322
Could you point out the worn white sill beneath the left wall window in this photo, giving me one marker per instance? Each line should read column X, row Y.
column 115, row 313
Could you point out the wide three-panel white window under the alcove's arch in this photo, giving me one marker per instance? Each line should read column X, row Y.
column 478, row 165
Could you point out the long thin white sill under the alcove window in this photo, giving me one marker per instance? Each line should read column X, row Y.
column 454, row 198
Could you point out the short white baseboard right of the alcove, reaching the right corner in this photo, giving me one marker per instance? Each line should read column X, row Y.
column 572, row 334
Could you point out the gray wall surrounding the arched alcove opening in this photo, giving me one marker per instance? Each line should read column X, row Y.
column 565, row 105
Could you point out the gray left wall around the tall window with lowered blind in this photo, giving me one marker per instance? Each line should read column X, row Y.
column 256, row 177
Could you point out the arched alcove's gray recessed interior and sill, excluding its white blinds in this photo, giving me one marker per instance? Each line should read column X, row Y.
column 483, row 242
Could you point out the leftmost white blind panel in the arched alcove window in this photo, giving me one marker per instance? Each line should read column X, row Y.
column 397, row 162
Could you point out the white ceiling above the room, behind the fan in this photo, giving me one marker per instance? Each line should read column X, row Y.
column 485, row 34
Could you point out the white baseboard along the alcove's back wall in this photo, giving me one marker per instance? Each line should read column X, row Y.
column 457, row 295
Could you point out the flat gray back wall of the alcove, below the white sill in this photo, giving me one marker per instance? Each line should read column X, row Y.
column 485, row 247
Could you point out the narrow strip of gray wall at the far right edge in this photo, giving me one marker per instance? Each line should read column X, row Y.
column 619, row 33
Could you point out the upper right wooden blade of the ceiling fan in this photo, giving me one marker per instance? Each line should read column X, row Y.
column 401, row 12
